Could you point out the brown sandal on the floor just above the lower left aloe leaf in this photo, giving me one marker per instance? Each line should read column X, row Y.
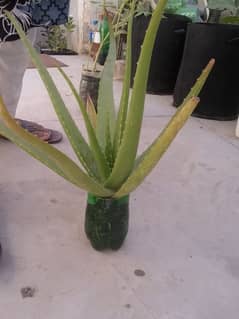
column 44, row 134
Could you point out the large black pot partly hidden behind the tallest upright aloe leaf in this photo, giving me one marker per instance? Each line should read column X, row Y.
column 167, row 53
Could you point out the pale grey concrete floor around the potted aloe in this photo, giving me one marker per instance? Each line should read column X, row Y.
column 183, row 227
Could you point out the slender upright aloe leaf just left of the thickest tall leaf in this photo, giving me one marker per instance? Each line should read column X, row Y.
column 121, row 117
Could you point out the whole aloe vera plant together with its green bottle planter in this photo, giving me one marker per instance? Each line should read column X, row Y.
column 110, row 169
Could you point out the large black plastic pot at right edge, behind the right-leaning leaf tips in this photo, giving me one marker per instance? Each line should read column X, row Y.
column 219, row 99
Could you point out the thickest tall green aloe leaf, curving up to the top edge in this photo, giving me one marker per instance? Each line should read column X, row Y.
column 124, row 162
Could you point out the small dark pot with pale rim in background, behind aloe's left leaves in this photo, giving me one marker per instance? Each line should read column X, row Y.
column 89, row 85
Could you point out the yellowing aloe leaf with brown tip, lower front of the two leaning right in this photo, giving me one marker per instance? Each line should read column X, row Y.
column 158, row 148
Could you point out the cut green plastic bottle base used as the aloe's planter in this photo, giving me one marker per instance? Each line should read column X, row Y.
column 106, row 221
